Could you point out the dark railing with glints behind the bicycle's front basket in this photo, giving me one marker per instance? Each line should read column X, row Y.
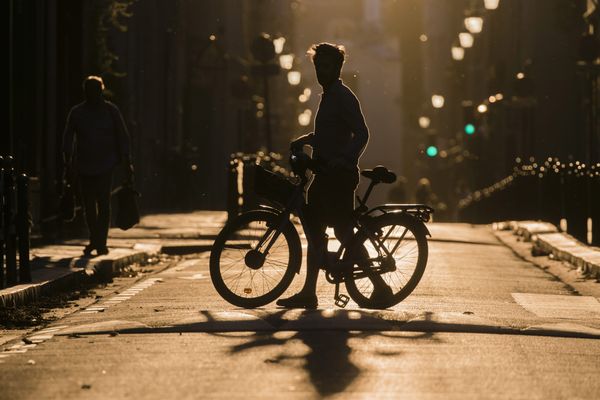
column 241, row 194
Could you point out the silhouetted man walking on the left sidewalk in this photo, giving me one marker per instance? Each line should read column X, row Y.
column 95, row 141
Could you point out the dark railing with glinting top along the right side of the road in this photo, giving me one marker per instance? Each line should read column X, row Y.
column 566, row 194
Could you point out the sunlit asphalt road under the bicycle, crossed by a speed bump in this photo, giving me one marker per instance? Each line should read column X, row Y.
column 483, row 323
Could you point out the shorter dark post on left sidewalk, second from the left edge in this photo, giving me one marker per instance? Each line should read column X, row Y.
column 23, row 228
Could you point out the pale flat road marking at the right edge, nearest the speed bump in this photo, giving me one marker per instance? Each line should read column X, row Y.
column 559, row 306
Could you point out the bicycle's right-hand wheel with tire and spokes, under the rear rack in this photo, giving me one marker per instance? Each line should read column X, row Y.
column 410, row 259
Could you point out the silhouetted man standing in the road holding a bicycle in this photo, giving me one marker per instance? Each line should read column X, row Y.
column 338, row 141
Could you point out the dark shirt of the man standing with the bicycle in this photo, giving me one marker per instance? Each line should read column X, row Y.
column 340, row 129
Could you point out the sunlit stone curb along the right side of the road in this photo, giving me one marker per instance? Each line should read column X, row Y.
column 547, row 239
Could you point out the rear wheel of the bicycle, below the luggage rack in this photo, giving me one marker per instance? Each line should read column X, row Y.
column 400, row 268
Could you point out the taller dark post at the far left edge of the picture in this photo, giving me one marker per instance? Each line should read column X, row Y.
column 10, row 237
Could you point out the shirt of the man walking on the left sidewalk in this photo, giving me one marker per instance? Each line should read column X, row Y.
column 97, row 135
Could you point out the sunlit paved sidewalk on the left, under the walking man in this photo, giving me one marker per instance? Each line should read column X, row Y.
column 60, row 266
